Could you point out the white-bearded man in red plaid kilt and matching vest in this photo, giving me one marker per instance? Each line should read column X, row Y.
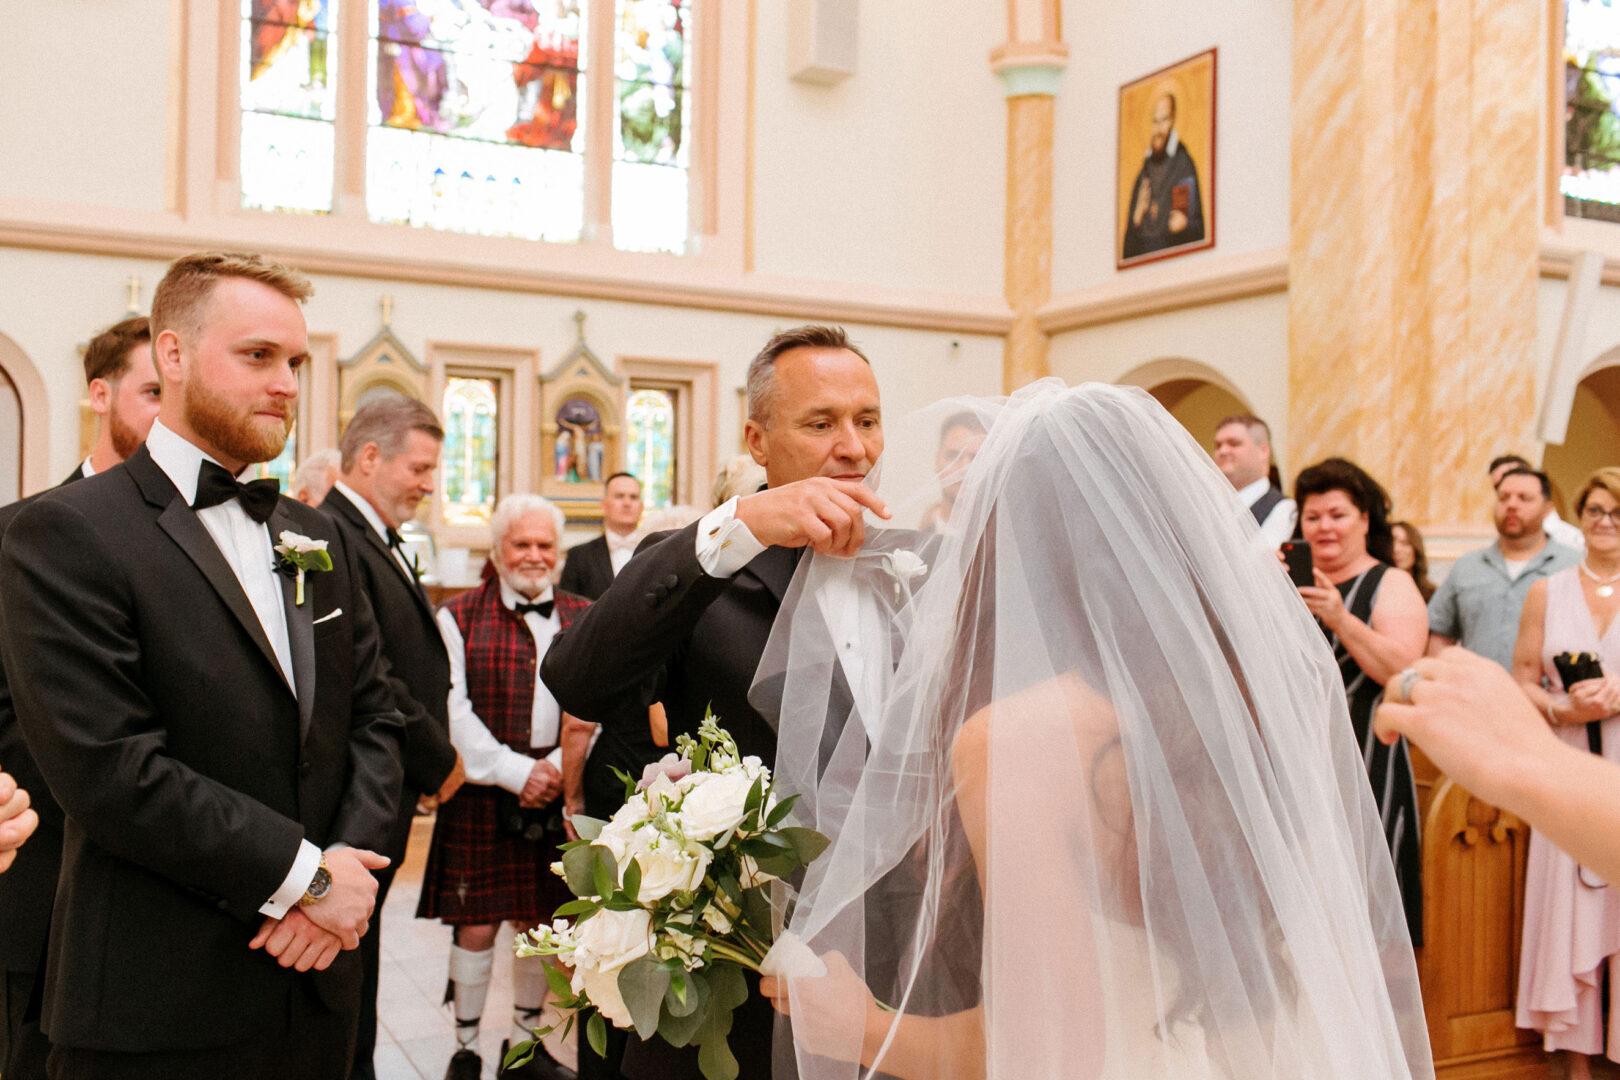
column 497, row 838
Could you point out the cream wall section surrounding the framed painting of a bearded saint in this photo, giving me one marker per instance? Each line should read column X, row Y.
column 1117, row 43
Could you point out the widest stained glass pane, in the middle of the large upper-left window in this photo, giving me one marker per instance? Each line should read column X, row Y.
column 479, row 117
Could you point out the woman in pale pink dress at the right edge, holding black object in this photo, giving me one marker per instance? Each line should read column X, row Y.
column 1572, row 917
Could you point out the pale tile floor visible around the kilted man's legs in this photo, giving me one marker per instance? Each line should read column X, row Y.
column 417, row 1034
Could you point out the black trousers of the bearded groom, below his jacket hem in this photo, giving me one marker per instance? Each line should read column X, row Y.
column 317, row 1045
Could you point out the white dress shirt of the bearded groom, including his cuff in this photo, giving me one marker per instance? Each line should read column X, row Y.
column 249, row 550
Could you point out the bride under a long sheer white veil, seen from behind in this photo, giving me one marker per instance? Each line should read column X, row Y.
column 1089, row 776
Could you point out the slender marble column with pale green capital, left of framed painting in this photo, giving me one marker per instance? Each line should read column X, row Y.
column 1030, row 74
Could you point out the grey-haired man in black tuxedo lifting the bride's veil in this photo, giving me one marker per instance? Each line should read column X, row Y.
column 688, row 619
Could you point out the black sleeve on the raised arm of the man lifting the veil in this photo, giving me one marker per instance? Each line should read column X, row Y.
column 616, row 653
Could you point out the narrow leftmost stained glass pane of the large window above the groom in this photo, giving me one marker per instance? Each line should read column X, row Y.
column 289, row 103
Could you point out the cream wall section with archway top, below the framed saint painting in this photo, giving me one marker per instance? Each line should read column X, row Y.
column 1243, row 342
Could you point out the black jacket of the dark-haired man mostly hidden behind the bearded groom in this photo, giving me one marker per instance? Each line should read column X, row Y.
column 30, row 888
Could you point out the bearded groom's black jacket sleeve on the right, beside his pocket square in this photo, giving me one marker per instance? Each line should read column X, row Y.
column 375, row 734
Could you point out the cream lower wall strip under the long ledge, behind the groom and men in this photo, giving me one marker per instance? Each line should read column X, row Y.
column 51, row 304
